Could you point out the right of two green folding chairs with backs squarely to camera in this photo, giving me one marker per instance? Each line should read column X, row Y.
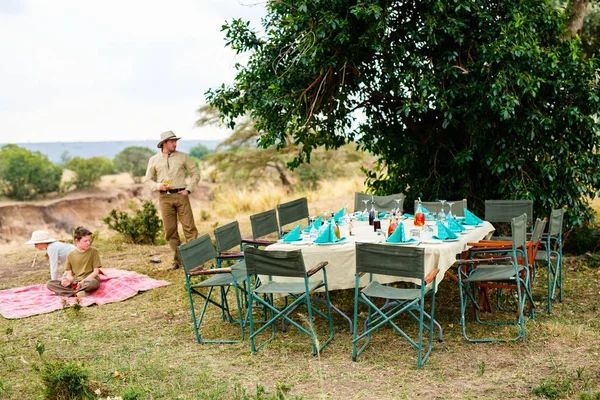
column 407, row 262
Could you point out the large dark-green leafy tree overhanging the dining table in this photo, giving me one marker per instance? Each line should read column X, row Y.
column 462, row 98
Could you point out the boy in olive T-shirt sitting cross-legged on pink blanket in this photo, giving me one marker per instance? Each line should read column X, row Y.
column 82, row 268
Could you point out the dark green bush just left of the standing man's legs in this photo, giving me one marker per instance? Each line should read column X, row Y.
column 143, row 228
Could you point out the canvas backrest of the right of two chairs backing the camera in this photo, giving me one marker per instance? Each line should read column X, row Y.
column 408, row 262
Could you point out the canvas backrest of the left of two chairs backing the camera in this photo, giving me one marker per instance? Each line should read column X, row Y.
column 275, row 263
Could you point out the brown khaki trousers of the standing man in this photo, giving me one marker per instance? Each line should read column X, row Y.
column 172, row 207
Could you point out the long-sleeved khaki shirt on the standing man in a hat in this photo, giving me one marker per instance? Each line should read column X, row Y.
column 174, row 166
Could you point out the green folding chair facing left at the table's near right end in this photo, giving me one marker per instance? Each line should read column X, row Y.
column 503, row 272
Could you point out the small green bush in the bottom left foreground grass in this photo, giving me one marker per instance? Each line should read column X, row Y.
column 65, row 380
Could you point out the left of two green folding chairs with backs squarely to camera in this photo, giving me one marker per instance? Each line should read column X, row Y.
column 290, row 265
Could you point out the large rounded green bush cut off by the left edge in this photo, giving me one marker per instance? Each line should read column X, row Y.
column 25, row 175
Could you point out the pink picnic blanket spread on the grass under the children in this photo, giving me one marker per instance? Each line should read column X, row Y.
column 115, row 285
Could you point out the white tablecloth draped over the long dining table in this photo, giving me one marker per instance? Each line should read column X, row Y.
column 342, row 256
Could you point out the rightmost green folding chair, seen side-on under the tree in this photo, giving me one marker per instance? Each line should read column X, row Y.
column 551, row 253
